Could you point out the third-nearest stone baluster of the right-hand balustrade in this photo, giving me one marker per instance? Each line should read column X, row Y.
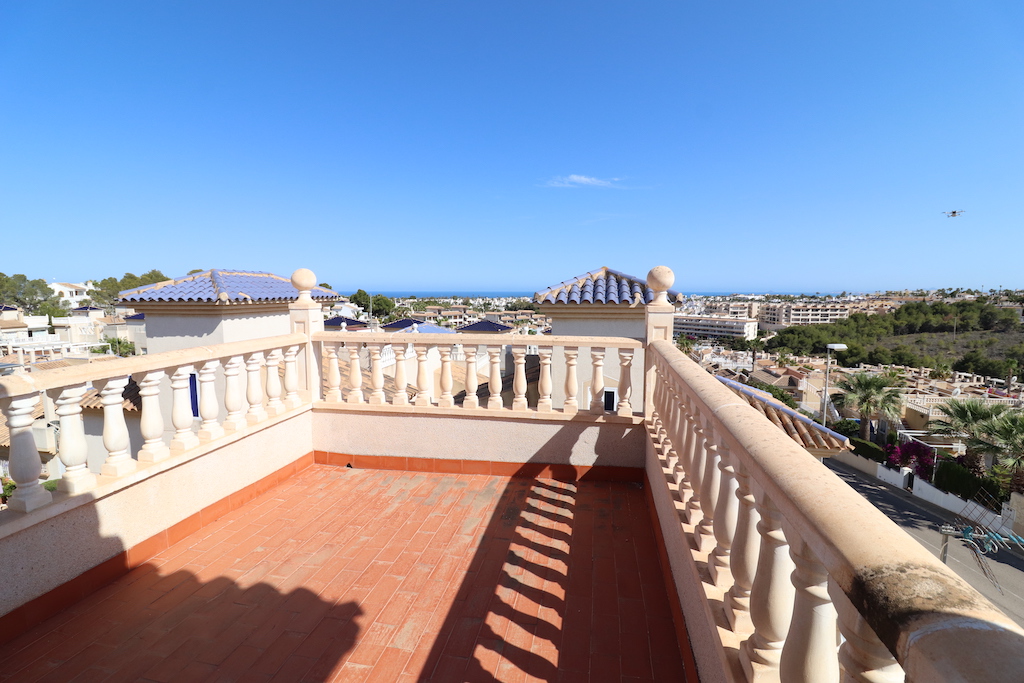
column 772, row 597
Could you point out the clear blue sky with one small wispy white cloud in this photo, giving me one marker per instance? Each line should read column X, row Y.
column 486, row 146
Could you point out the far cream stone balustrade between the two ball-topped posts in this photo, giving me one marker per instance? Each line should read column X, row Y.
column 351, row 390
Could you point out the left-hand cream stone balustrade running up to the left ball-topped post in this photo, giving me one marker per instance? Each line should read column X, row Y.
column 249, row 394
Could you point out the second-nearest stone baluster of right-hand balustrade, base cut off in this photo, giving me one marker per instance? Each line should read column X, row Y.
column 810, row 652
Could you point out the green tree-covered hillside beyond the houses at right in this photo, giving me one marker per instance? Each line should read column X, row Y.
column 967, row 336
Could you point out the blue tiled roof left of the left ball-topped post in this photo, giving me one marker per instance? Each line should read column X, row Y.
column 215, row 285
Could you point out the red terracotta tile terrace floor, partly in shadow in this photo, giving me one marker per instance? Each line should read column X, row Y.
column 348, row 575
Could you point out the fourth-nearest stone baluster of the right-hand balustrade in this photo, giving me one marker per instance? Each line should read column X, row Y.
column 744, row 560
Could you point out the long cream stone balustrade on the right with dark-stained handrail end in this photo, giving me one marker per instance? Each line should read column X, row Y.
column 766, row 509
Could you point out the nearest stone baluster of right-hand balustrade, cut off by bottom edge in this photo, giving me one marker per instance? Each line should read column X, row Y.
column 863, row 658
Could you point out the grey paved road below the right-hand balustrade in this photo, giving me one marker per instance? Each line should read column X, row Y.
column 922, row 521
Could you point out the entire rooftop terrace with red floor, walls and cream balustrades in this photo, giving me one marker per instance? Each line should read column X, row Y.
column 317, row 527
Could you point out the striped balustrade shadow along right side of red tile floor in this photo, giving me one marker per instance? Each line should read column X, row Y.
column 566, row 584
